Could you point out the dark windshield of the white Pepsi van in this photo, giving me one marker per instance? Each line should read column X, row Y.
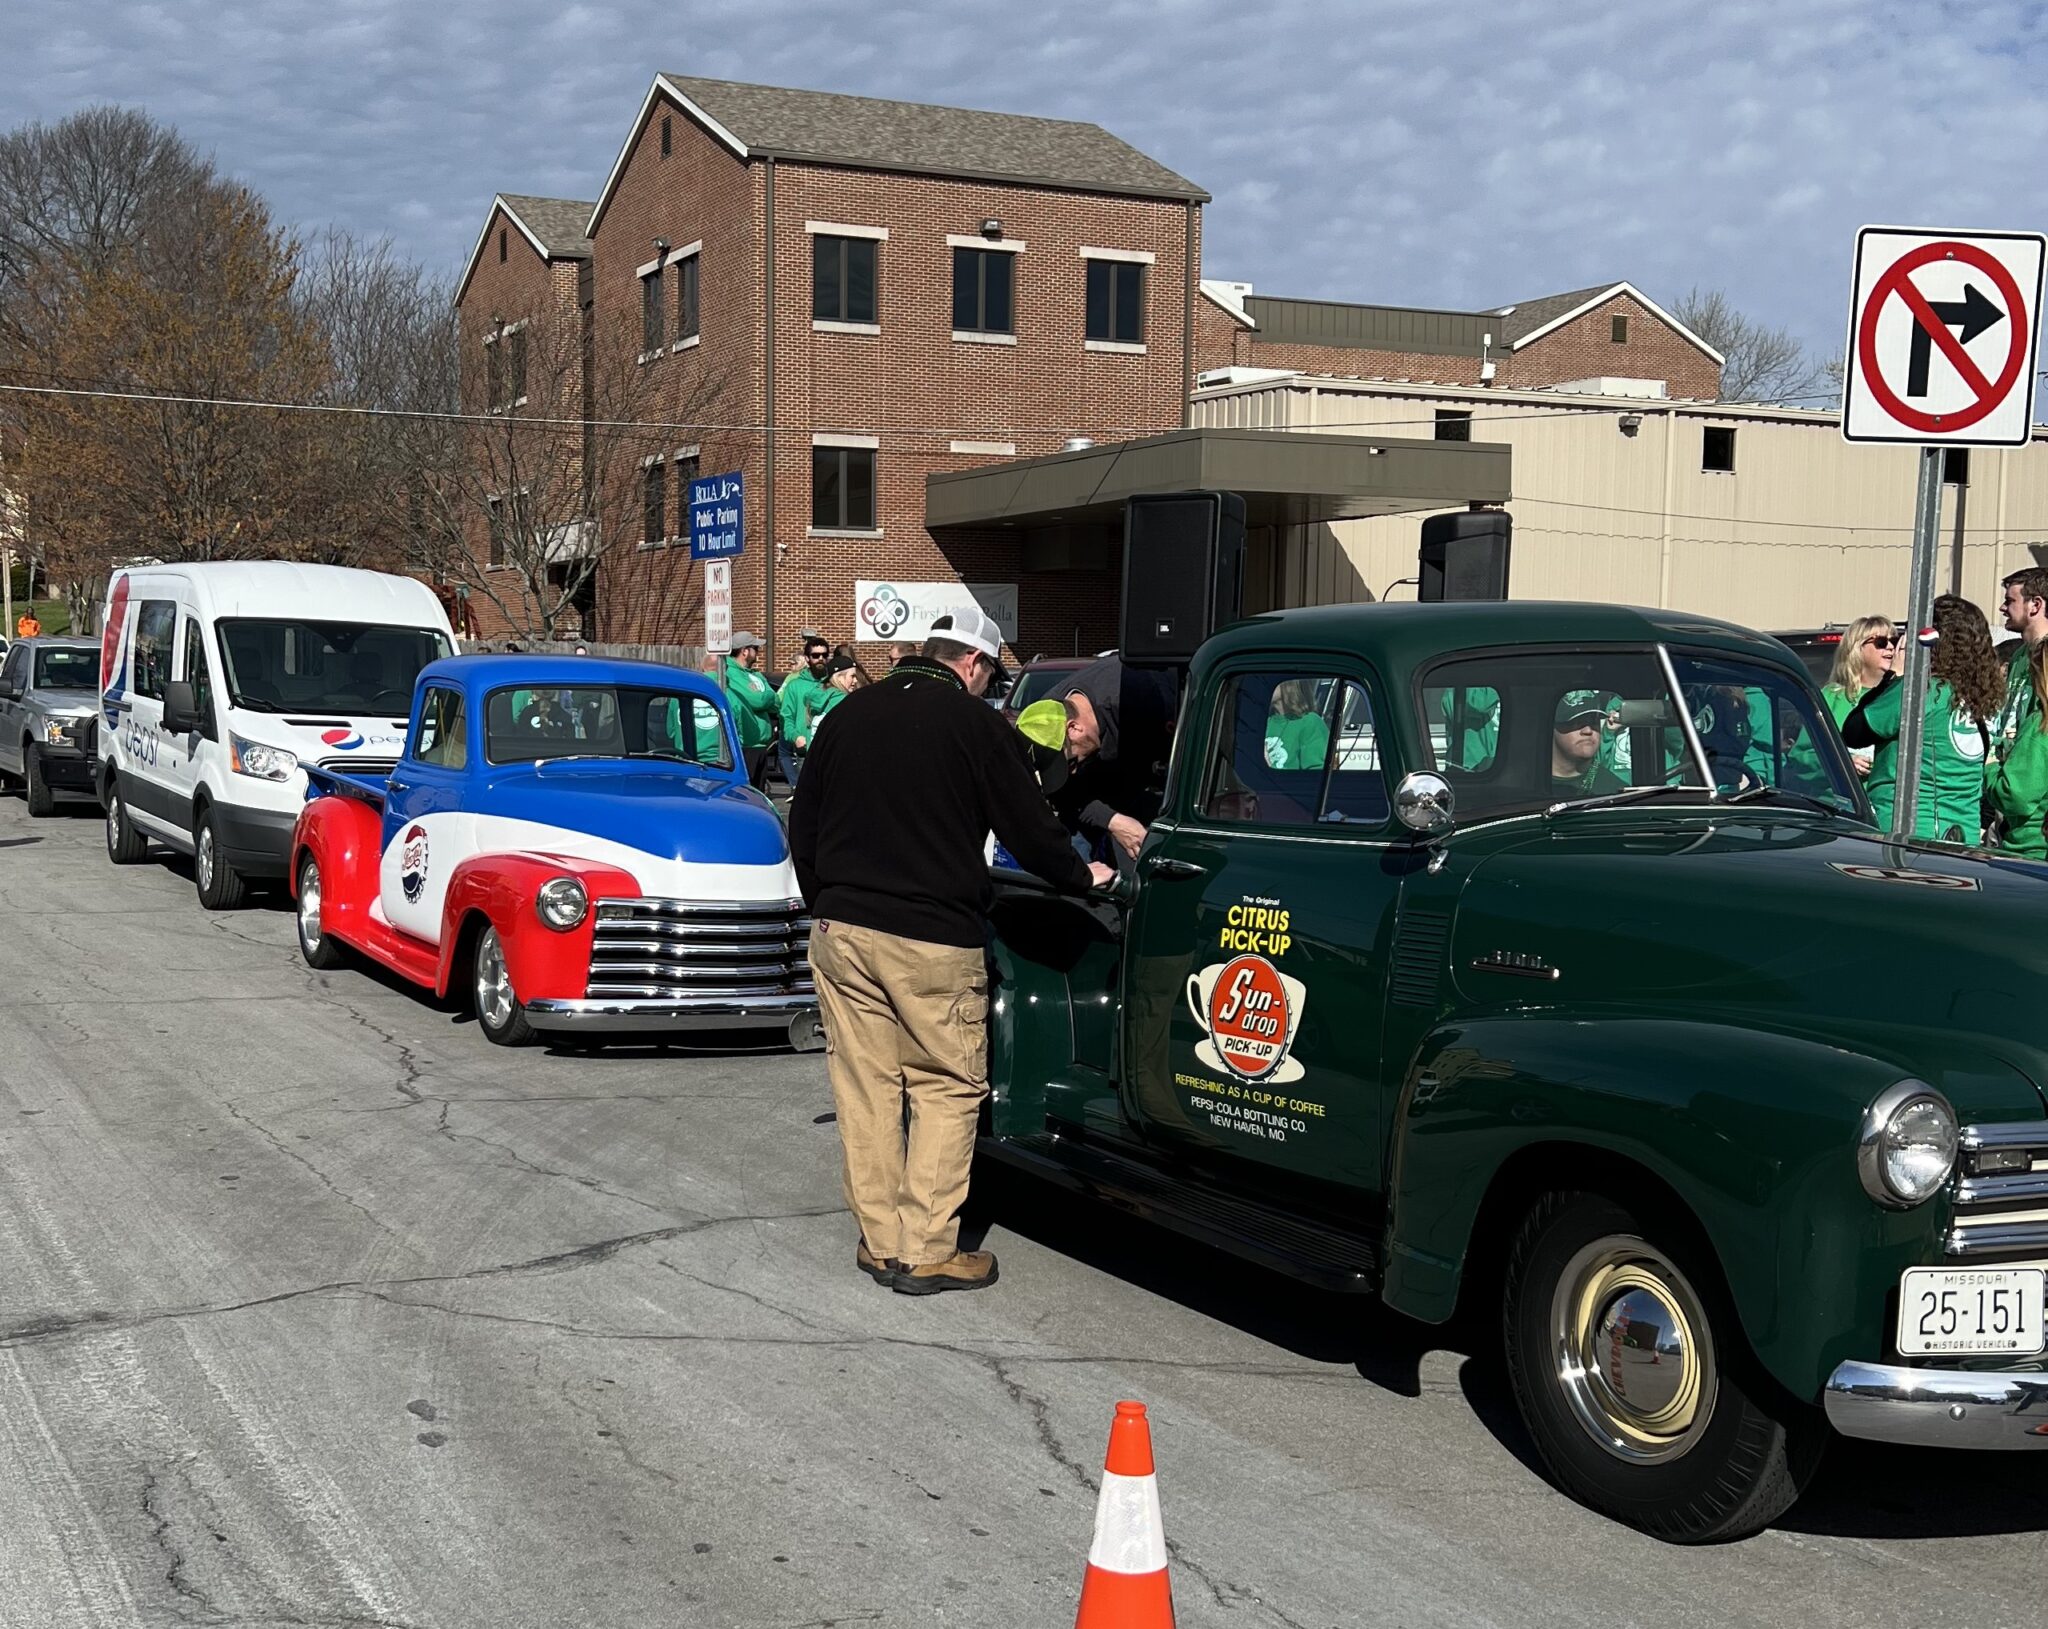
column 306, row 667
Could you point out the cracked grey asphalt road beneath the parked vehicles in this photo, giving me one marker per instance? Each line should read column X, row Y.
column 318, row 1310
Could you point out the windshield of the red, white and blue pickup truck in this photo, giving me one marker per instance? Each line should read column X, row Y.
column 531, row 724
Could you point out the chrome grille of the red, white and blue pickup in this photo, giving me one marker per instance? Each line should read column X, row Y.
column 673, row 950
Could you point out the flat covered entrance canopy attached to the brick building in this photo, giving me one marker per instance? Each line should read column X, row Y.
column 1068, row 509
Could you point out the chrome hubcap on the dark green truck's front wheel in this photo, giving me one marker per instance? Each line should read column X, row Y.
column 1635, row 1357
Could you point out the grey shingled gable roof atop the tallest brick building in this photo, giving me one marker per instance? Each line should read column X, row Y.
column 919, row 138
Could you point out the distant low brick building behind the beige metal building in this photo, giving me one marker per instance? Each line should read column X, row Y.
column 1609, row 333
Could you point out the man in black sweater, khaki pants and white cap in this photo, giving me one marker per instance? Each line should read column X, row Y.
column 890, row 829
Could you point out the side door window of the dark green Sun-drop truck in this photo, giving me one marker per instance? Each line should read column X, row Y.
column 1295, row 751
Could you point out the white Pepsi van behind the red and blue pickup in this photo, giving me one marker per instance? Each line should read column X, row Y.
column 218, row 681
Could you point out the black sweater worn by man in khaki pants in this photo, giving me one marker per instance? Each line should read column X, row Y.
column 896, row 804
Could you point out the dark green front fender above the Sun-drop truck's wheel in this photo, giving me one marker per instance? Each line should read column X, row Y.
column 1752, row 1132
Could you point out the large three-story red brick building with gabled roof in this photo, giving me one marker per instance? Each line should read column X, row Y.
column 839, row 298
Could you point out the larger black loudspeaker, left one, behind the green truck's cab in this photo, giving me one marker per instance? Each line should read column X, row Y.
column 1185, row 573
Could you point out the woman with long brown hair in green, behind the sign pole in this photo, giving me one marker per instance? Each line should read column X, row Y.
column 1965, row 692
